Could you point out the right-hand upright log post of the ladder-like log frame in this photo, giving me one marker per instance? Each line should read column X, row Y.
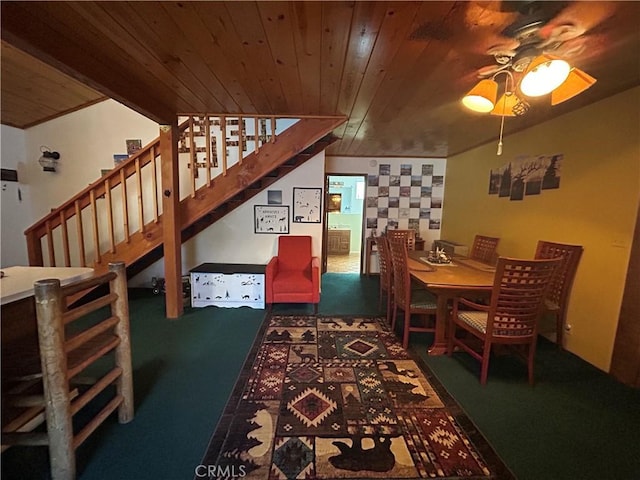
column 120, row 309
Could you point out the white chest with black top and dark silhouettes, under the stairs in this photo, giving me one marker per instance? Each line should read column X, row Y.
column 227, row 285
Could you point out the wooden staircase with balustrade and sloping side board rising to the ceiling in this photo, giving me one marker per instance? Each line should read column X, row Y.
column 118, row 217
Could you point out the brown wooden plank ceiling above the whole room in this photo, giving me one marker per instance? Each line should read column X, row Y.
column 396, row 69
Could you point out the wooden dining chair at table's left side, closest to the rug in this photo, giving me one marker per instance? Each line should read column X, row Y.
column 411, row 301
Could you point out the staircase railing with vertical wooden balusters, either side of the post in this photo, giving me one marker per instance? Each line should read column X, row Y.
column 104, row 216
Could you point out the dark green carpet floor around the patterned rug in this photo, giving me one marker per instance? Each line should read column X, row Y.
column 576, row 423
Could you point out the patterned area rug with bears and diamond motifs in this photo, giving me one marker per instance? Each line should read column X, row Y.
column 339, row 398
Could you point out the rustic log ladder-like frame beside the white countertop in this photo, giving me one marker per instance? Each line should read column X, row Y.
column 69, row 341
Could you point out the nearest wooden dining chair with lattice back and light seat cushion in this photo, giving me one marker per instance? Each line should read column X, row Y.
column 511, row 318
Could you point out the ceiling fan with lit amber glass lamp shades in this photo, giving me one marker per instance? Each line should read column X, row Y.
column 532, row 54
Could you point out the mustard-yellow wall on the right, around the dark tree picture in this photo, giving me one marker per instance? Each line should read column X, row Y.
column 595, row 206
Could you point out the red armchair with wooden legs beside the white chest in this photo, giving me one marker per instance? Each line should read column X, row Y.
column 293, row 276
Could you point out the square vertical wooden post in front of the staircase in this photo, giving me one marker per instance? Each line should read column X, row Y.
column 171, row 219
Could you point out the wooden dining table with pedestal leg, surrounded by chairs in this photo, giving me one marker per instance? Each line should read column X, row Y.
column 462, row 276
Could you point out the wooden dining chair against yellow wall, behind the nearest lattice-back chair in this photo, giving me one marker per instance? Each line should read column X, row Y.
column 557, row 300
